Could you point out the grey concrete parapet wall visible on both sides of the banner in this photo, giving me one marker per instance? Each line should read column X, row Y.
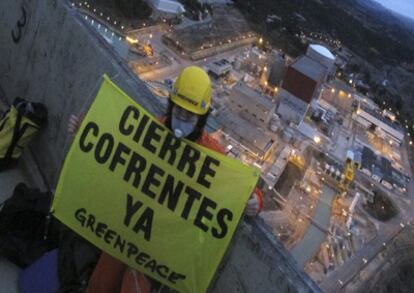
column 55, row 58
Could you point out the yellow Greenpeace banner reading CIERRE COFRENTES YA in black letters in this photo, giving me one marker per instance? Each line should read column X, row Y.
column 166, row 207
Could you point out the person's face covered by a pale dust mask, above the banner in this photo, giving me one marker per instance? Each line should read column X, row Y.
column 183, row 122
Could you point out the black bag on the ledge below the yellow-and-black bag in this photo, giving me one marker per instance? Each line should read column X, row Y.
column 26, row 231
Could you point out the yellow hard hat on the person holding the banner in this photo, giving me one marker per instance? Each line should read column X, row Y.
column 192, row 90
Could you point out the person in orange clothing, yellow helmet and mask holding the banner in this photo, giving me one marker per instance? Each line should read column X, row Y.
column 186, row 116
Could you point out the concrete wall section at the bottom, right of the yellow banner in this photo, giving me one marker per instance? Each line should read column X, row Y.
column 259, row 263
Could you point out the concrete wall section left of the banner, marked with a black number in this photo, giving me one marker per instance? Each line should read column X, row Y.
column 55, row 58
